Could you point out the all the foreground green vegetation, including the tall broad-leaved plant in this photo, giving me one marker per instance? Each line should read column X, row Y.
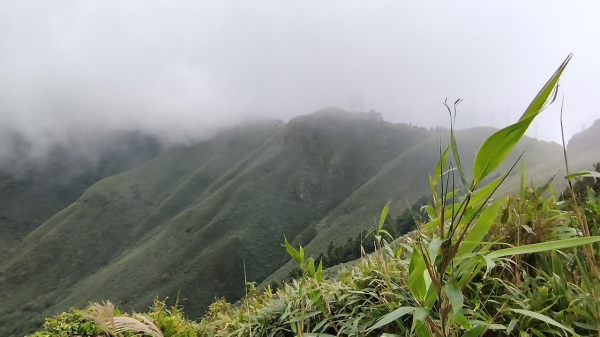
column 521, row 265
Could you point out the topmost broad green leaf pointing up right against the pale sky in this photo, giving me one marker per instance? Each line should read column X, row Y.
column 497, row 147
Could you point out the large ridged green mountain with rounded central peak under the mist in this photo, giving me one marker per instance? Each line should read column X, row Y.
column 200, row 219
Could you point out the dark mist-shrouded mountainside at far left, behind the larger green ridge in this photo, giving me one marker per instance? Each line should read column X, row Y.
column 36, row 186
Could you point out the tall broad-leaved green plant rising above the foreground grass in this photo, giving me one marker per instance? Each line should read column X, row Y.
column 445, row 257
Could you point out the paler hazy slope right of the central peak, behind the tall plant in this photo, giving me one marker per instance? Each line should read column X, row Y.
column 403, row 179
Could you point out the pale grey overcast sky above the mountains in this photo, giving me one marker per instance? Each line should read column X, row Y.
column 184, row 66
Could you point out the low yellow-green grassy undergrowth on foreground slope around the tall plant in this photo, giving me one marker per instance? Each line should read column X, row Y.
column 539, row 294
